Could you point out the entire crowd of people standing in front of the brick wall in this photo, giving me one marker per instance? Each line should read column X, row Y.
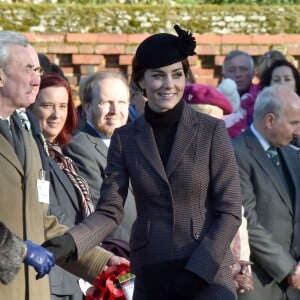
column 196, row 188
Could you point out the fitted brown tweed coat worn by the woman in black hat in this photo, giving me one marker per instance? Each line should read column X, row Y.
column 189, row 211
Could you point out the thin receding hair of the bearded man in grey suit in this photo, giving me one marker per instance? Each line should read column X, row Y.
column 96, row 77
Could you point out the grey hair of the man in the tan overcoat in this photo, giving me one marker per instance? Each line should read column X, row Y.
column 7, row 39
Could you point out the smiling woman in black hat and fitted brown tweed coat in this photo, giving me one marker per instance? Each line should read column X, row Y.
column 185, row 181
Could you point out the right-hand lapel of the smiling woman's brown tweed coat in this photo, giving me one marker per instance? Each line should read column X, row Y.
column 184, row 136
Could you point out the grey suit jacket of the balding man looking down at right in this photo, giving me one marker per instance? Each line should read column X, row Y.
column 273, row 215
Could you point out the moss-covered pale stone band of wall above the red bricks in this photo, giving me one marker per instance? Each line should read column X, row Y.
column 92, row 16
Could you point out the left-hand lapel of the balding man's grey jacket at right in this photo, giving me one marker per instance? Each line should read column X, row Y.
column 268, row 167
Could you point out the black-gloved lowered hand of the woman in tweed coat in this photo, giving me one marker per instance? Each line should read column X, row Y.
column 185, row 285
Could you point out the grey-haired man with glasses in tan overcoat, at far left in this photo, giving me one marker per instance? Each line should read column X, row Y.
column 23, row 189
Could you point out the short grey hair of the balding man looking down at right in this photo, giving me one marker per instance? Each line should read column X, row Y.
column 268, row 101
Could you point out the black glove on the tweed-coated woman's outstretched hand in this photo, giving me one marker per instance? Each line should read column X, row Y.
column 63, row 247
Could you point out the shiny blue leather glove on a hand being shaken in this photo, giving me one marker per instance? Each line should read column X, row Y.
column 40, row 258
